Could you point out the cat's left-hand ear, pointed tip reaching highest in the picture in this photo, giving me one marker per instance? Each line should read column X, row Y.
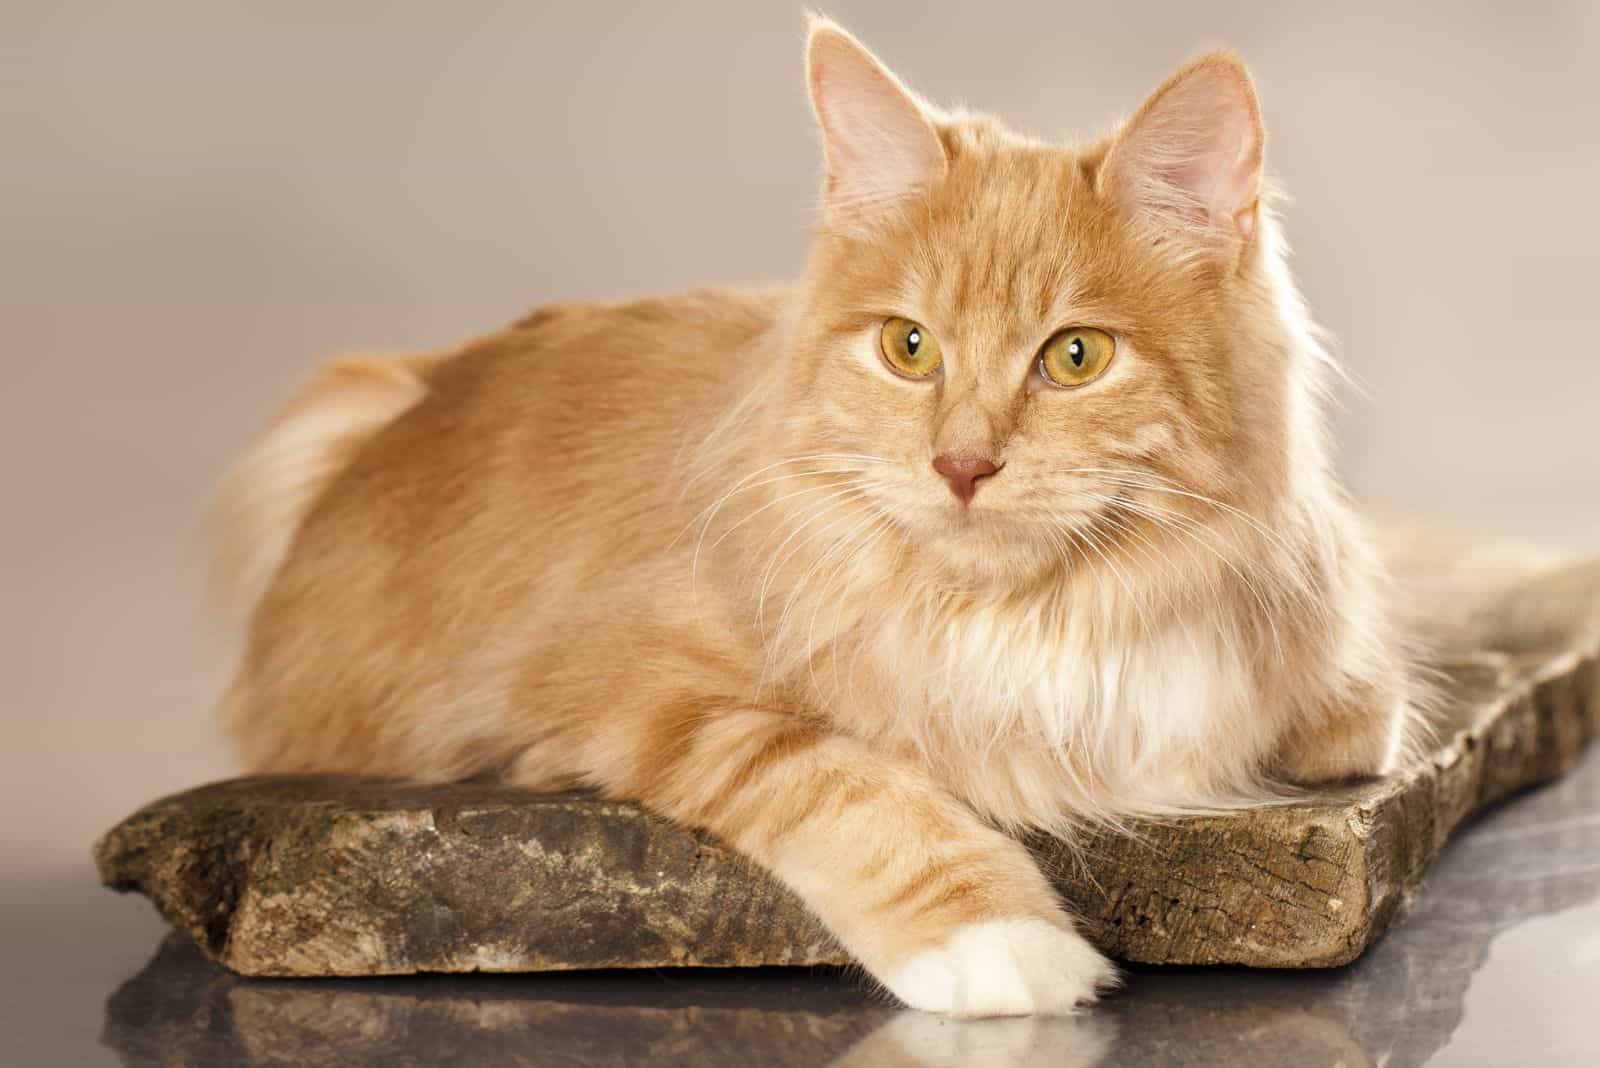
column 879, row 141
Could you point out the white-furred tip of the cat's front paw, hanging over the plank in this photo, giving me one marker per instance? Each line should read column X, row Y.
column 1006, row 968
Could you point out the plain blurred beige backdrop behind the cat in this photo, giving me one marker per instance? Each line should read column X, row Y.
column 198, row 201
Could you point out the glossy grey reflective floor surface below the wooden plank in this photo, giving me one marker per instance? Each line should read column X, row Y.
column 1498, row 963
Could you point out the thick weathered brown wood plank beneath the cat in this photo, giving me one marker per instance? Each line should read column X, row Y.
column 346, row 877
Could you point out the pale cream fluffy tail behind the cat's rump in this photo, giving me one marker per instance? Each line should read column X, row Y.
column 268, row 495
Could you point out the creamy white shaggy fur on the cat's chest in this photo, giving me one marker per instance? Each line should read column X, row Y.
column 1030, row 711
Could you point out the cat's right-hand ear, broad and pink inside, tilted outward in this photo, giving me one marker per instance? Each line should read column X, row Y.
column 1191, row 156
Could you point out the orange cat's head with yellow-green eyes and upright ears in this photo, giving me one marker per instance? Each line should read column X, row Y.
column 1052, row 346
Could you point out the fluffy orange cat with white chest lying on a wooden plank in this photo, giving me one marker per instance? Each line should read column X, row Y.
column 1015, row 512
